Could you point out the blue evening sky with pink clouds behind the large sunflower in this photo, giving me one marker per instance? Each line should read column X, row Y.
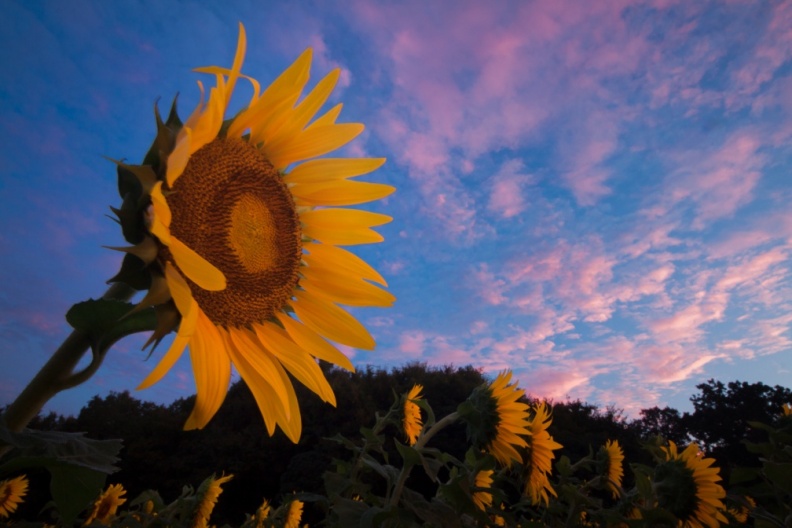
column 592, row 194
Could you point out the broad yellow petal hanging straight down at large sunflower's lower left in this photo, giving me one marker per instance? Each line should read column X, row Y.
column 212, row 372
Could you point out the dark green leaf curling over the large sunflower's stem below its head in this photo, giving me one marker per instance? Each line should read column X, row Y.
column 105, row 323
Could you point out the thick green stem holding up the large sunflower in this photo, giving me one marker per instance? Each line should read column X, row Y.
column 57, row 374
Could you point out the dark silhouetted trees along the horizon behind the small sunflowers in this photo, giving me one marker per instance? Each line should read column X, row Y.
column 159, row 455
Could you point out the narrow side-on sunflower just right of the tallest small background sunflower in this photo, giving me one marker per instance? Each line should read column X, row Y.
column 540, row 454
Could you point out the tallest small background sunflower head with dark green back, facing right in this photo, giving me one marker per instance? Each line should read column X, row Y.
column 496, row 420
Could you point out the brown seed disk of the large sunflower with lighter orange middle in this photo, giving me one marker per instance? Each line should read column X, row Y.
column 231, row 206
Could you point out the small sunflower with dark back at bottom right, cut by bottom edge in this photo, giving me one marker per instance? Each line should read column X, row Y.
column 688, row 486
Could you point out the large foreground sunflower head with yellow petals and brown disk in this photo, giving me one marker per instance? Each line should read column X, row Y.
column 237, row 233
